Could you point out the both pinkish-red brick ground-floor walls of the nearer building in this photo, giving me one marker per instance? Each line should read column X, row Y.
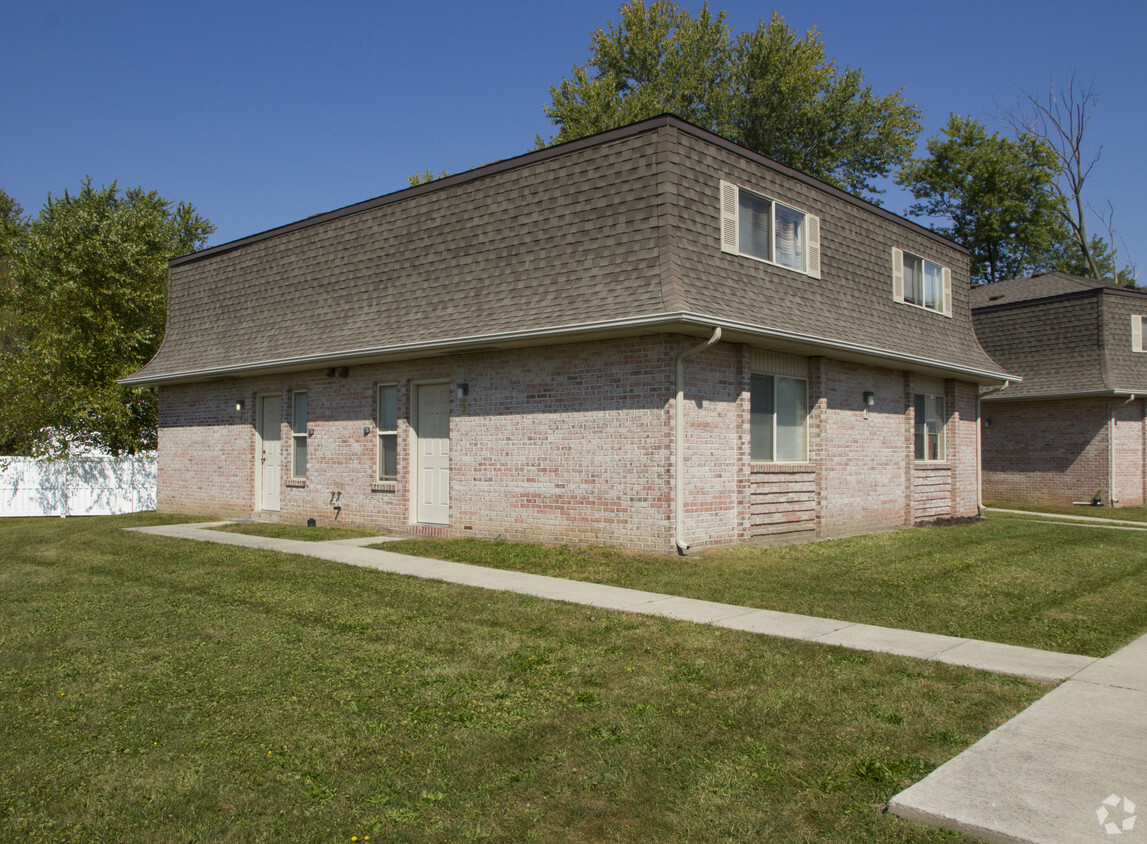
column 574, row 444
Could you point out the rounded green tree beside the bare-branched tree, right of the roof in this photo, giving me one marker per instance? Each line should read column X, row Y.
column 990, row 194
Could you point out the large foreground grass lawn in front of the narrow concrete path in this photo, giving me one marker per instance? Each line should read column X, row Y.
column 165, row 690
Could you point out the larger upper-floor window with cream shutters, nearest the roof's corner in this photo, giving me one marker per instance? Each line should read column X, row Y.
column 770, row 231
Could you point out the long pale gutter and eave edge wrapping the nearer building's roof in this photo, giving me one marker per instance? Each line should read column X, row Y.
column 462, row 346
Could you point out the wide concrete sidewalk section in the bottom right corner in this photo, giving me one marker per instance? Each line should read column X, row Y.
column 1072, row 768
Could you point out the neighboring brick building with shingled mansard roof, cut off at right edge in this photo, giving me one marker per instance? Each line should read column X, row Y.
column 1079, row 346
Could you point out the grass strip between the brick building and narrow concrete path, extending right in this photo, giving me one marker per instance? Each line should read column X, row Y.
column 1006, row 580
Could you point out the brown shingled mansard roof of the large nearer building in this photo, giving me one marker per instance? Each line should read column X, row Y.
column 618, row 233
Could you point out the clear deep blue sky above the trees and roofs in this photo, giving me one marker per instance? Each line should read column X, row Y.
column 261, row 114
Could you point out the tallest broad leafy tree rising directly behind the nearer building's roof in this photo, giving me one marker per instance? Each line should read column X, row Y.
column 770, row 90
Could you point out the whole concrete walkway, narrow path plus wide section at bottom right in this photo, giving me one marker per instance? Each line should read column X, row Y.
column 1073, row 768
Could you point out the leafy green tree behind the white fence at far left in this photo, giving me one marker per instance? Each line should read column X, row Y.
column 89, row 300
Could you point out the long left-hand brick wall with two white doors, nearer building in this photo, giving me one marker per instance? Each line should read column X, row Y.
column 566, row 444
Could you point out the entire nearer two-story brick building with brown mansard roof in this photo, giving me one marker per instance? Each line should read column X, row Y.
column 501, row 354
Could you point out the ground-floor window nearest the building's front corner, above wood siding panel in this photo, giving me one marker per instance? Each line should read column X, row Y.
column 778, row 419
